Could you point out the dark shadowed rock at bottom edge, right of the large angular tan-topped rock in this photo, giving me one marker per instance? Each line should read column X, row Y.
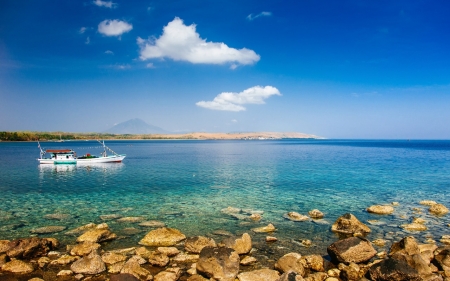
column 393, row 270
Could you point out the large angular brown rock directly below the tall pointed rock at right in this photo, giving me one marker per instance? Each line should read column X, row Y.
column 353, row 249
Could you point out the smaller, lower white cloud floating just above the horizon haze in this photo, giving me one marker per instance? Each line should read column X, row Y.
column 233, row 101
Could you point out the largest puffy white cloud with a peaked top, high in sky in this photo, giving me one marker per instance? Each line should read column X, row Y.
column 182, row 43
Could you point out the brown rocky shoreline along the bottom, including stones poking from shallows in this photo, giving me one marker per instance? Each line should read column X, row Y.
column 166, row 254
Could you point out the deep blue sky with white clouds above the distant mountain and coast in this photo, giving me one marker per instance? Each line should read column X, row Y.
column 336, row 69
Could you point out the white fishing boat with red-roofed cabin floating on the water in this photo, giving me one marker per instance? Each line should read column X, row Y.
column 68, row 156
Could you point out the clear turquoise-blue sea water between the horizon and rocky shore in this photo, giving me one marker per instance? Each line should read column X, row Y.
column 186, row 184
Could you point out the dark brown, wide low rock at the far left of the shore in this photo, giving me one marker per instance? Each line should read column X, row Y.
column 30, row 247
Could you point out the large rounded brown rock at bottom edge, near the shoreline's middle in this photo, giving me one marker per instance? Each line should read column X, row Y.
column 219, row 262
